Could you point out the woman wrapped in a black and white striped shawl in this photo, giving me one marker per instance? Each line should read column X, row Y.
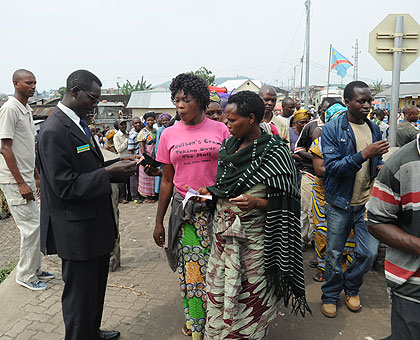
column 256, row 258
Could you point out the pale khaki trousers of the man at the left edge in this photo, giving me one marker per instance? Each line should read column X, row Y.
column 26, row 215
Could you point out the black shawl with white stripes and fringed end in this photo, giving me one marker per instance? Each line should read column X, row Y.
column 267, row 160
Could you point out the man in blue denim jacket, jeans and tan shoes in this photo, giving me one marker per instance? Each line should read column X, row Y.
column 352, row 149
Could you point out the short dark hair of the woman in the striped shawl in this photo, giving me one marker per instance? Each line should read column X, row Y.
column 248, row 102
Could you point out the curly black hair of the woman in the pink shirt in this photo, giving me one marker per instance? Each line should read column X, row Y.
column 192, row 85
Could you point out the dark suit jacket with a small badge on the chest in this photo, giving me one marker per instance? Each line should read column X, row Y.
column 77, row 220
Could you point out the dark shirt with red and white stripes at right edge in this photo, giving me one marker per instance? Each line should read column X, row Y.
column 395, row 199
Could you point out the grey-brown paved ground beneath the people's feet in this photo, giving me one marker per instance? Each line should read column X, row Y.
column 143, row 302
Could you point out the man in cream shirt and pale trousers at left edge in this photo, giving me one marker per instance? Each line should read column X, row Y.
column 19, row 179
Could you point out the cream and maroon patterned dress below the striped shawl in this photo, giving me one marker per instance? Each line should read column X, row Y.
column 239, row 304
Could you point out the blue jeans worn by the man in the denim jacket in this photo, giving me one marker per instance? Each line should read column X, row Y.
column 339, row 223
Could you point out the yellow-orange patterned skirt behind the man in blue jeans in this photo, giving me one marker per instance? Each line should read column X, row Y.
column 320, row 225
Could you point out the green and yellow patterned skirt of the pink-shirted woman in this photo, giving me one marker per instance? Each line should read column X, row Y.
column 193, row 255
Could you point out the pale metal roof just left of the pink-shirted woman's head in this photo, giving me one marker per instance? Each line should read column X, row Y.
column 150, row 100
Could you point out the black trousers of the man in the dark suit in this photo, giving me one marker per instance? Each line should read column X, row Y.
column 83, row 296
